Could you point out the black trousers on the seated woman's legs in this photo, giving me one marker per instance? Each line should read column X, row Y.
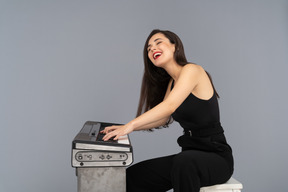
column 186, row 171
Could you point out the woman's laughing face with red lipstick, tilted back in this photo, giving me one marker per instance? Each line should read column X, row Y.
column 160, row 50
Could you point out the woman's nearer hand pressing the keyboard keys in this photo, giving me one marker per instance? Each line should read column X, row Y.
column 117, row 131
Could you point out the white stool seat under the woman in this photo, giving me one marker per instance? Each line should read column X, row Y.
column 232, row 185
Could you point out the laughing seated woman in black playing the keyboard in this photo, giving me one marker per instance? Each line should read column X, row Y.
column 173, row 87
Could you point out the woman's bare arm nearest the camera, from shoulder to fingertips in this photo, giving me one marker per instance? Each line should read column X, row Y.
column 187, row 81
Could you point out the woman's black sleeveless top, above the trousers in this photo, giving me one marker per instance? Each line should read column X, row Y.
column 202, row 129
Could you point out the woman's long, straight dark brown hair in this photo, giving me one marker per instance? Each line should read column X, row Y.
column 155, row 79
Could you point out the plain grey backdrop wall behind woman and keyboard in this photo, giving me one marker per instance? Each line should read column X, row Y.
column 65, row 62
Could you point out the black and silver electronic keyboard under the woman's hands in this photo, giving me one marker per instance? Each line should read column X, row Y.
column 89, row 150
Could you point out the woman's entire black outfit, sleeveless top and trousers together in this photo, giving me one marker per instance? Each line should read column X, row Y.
column 206, row 158
